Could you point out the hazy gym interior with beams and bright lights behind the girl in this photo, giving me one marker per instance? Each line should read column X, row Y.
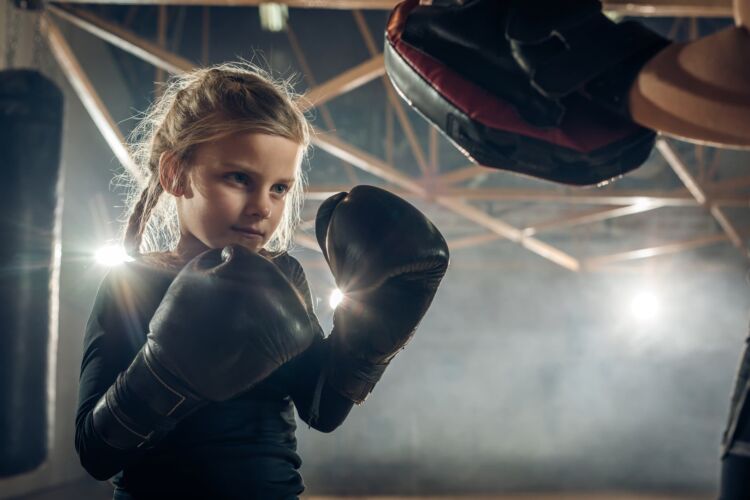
column 599, row 368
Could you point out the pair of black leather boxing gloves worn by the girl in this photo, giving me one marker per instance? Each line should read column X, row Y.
column 230, row 318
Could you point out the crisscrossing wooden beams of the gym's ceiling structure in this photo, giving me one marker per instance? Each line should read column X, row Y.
column 443, row 189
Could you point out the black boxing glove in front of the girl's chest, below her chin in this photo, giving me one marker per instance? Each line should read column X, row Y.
column 228, row 320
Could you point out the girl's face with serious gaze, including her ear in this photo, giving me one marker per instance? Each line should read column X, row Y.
column 236, row 191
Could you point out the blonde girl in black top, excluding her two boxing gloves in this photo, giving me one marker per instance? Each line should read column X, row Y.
column 223, row 148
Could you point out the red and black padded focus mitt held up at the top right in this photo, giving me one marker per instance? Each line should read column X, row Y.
column 484, row 75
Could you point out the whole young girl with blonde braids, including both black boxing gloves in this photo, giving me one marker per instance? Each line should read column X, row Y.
column 195, row 358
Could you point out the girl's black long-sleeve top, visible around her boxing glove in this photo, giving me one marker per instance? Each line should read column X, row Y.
column 241, row 448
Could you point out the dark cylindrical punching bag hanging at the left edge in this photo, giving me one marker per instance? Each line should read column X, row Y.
column 31, row 108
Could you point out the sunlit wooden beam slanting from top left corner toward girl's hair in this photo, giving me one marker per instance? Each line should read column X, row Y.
column 88, row 96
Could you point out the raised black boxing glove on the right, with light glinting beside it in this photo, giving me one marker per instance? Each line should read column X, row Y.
column 388, row 260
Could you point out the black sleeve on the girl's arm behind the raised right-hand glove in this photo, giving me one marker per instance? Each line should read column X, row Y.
column 317, row 403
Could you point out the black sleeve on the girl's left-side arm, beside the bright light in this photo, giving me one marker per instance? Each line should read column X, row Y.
column 110, row 344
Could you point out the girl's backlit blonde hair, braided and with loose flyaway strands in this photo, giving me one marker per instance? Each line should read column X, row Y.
column 197, row 107
